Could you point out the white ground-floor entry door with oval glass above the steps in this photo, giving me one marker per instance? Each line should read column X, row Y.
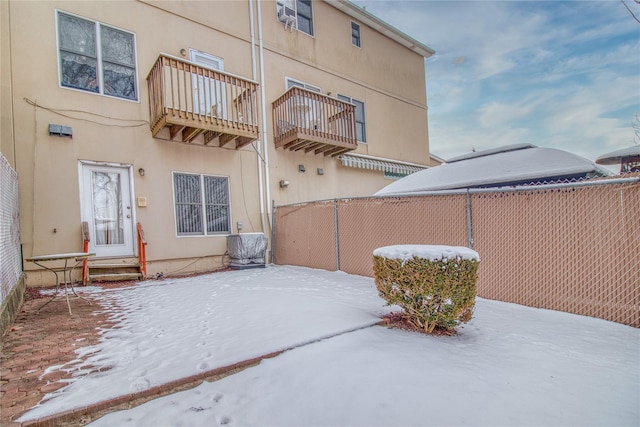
column 106, row 206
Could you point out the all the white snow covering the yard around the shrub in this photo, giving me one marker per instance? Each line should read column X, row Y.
column 510, row 365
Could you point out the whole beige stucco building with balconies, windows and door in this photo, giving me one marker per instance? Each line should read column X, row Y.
column 193, row 118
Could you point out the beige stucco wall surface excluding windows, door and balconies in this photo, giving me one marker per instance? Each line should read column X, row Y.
column 386, row 76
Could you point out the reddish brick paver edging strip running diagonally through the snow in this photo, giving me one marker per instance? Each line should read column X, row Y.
column 151, row 393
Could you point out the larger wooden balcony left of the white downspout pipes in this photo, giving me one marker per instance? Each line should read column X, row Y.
column 194, row 104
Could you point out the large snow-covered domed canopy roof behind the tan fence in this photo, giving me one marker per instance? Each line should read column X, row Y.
column 505, row 166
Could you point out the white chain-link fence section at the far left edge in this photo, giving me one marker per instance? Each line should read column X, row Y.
column 10, row 257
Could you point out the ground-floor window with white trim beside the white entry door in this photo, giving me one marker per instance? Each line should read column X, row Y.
column 202, row 204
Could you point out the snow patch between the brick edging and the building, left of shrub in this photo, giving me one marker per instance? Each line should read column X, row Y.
column 172, row 329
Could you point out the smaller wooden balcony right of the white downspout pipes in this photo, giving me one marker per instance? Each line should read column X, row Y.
column 311, row 121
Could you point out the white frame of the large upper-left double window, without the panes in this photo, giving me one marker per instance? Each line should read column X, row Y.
column 99, row 57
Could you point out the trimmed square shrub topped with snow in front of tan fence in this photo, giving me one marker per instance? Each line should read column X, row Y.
column 434, row 285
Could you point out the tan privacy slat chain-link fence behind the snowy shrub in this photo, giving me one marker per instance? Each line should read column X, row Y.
column 574, row 248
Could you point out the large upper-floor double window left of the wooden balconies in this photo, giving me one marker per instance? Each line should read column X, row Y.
column 96, row 58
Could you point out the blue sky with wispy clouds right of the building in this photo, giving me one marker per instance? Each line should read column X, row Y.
column 562, row 74
